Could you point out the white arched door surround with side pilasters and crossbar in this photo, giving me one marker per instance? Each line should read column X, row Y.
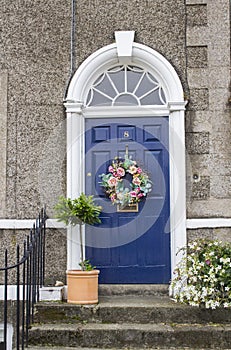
column 97, row 63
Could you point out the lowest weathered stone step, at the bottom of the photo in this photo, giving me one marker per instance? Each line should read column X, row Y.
column 128, row 335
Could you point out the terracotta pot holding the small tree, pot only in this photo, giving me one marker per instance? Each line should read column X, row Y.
column 82, row 286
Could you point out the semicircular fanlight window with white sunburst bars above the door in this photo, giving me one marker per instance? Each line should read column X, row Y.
column 126, row 86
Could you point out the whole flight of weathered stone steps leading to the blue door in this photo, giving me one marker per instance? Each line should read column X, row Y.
column 131, row 322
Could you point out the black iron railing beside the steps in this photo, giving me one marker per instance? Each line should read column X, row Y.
column 29, row 277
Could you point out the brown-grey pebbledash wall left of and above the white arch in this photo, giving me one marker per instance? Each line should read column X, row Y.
column 36, row 56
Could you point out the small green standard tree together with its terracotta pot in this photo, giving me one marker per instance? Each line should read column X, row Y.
column 80, row 211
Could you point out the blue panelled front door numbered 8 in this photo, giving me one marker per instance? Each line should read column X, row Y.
column 130, row 247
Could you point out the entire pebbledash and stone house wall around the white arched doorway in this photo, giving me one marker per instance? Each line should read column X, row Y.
column 35, row 63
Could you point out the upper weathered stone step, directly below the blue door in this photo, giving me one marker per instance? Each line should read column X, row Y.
column 129, row 309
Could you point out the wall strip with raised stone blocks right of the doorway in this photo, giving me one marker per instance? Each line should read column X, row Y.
column 208, row 130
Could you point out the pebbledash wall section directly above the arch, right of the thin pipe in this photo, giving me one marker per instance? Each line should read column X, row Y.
column 158, row 24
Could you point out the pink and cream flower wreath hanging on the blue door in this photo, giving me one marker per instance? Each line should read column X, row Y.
column 114, row 184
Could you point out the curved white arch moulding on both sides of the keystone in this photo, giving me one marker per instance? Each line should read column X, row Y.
column 142, row 56
